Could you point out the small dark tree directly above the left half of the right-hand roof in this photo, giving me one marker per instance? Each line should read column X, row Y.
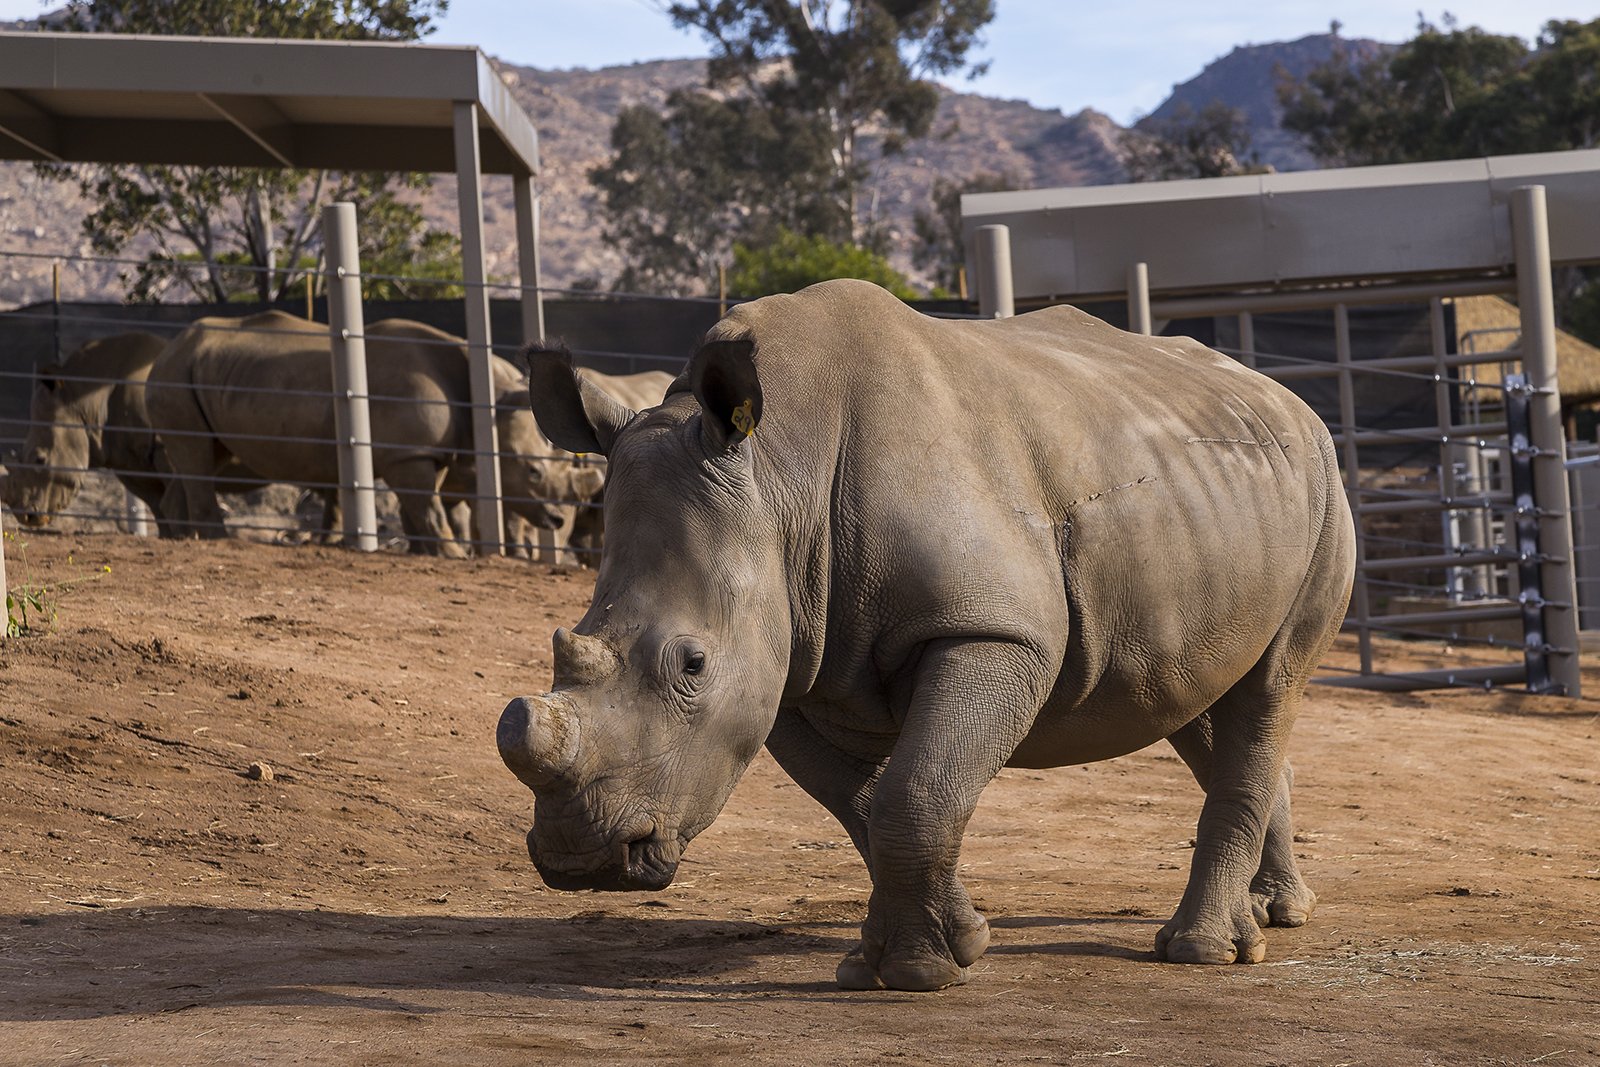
column 1210, row 143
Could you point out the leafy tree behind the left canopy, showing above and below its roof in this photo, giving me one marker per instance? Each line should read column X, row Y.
column 252, row 234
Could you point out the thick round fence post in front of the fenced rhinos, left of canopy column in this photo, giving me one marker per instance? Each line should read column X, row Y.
column 351, row 418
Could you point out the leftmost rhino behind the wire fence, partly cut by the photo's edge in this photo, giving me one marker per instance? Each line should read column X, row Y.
column 89, row 412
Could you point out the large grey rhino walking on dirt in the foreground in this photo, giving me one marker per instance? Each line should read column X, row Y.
column 948, row 548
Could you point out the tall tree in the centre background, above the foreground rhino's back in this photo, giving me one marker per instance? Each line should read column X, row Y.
column 794, row 87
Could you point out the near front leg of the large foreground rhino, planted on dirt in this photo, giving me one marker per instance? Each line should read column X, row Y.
column 972, row 705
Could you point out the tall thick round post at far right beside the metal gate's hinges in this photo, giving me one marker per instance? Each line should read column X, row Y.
column 1537, row 306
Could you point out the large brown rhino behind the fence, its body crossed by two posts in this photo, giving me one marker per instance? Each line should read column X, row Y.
column 207, row 386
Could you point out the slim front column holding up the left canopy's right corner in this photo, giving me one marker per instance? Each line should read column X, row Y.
column 486, row 442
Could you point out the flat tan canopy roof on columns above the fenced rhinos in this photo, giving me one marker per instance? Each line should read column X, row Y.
column 223, row 102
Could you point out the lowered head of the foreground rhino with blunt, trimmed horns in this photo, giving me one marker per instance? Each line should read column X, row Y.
column 671, row 682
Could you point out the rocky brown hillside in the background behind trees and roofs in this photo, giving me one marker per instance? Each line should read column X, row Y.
column 575, row 111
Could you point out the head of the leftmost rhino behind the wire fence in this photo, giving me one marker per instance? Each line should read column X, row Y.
column 50, row 468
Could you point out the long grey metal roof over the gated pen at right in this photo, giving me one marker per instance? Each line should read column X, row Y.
column 1287, row 230
